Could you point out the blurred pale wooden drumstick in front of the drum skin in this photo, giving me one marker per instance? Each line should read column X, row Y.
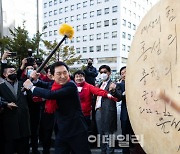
column 168, row 100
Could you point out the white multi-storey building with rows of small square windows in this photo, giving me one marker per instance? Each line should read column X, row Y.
column 104, row 29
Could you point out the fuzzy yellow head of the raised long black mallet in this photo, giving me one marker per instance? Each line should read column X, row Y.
column 67, row 30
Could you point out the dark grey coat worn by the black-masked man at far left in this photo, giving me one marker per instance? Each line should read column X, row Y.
column 16, row 121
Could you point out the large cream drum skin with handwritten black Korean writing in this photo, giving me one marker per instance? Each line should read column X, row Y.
column 154, row 63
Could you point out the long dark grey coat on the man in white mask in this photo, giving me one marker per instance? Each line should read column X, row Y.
column 109, row 111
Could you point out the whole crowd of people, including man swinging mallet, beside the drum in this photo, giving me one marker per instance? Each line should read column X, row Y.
column 70, row 105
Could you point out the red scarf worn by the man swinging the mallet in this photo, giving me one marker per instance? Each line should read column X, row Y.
column 51, row 105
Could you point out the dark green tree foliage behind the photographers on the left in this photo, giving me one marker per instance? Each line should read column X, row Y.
column 20, row 42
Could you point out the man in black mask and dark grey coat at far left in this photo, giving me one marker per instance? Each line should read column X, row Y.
column 15, row 120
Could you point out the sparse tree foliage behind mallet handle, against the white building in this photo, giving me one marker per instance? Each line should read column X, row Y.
column 66, row 54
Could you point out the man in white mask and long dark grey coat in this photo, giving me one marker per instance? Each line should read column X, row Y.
column 106, row 111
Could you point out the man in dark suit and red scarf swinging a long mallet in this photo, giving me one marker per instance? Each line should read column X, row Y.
column 72, row 129
